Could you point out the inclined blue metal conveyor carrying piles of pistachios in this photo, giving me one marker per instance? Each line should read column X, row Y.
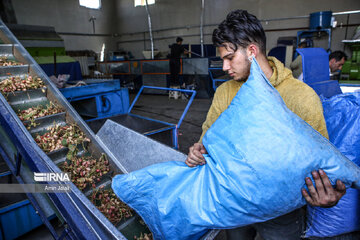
column 78, row 207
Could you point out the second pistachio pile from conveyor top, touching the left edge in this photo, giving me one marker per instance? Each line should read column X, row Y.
column 17, row 83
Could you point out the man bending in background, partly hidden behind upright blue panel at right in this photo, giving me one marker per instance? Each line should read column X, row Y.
column 336, row 61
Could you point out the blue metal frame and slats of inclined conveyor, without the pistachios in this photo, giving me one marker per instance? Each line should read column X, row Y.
column 80, row 217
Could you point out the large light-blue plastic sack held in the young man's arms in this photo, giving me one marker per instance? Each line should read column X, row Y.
column 259, row 155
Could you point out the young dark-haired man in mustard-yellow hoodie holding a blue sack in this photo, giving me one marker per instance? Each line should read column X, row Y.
column 239, row 39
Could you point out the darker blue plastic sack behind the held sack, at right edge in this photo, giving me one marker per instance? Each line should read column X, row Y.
column 342, row 115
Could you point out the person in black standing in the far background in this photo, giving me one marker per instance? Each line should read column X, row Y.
column 176, row 50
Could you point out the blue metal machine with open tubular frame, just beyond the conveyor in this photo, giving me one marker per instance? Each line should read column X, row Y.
column 104, row 99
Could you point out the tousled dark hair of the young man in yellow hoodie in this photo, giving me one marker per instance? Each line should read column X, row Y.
column 240, row 28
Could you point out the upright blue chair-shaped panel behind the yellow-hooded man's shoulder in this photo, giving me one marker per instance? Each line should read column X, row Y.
column 315, row 62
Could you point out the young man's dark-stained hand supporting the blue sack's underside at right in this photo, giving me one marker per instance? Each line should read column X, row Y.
column 324, row 195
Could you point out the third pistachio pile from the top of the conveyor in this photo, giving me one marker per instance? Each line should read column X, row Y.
column 32, row 113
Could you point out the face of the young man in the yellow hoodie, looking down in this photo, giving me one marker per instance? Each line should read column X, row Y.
column 236, row 64
